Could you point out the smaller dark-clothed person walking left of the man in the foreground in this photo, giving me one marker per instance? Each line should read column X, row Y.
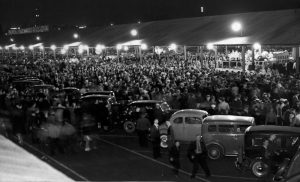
column 174, row 157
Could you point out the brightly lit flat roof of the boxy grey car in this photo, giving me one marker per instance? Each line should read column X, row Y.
column 229, row 118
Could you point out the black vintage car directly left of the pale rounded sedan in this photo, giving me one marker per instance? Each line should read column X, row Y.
column 133, row 110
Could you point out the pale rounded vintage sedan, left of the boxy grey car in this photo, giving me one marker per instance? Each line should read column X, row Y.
column 186, row 124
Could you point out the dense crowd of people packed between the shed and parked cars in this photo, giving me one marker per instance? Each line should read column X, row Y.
column 271, row 98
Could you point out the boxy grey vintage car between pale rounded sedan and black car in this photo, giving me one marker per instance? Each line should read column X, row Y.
column 224, row 134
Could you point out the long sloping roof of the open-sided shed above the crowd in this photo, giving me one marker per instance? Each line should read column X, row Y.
column 270, row 28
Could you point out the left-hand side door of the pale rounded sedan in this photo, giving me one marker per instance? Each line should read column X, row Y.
column 177, row 126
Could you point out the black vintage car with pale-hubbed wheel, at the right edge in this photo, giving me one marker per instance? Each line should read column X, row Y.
column 252, row 154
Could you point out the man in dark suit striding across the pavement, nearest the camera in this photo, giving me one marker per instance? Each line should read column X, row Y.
column 197, row 153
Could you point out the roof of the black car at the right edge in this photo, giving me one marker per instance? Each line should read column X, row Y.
column 273, row 128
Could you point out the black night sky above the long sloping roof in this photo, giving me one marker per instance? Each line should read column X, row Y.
column 104, row 12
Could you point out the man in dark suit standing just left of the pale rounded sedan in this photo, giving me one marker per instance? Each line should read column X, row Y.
column 155, row 139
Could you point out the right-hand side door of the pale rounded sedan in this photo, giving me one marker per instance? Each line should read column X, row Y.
column 192, row 127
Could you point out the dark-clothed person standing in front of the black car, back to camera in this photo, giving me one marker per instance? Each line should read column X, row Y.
column 143, row 126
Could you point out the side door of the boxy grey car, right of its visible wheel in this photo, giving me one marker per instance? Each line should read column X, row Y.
column 228, row 139
